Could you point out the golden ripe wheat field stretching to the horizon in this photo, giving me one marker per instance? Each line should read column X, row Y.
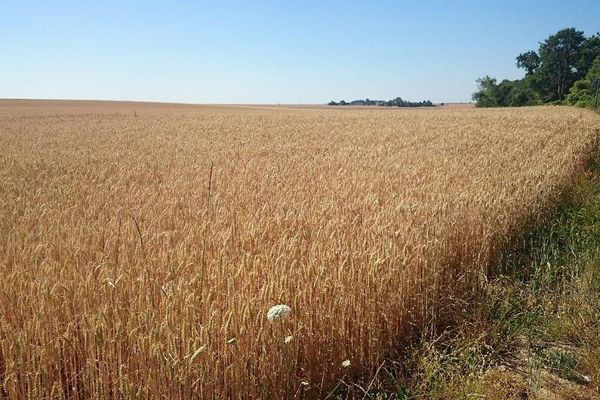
column 141, row 245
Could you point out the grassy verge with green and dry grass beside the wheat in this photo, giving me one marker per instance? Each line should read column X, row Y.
column 533, row 332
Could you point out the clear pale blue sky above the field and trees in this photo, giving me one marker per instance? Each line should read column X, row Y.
column 270, row 51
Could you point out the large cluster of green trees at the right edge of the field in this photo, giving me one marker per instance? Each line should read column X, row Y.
column 564, row 70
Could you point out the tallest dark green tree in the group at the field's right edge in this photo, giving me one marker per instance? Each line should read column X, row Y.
column 560, row 57
